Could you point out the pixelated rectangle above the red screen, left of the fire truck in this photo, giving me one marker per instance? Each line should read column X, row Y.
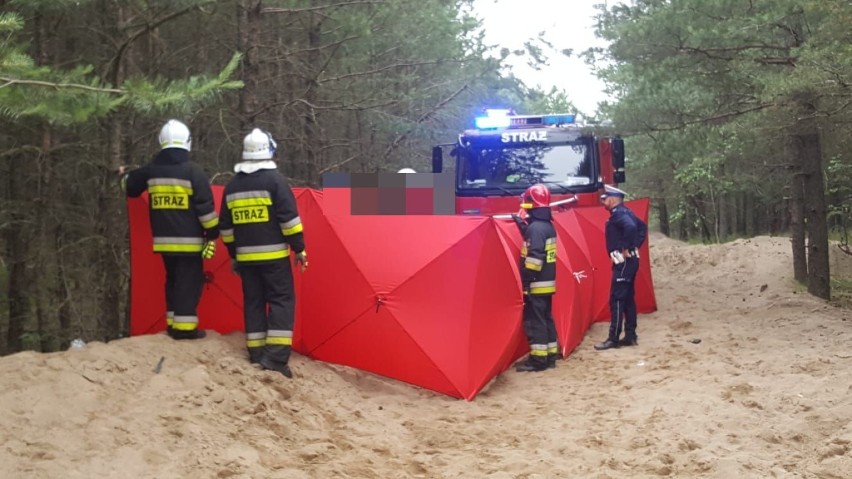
column 392, row 193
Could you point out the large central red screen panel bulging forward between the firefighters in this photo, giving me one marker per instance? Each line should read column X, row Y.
column 431, row 300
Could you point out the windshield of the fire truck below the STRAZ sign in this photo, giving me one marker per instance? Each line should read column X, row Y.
column 512, row 169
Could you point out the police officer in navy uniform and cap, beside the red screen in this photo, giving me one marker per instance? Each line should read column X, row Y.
column 625, row 233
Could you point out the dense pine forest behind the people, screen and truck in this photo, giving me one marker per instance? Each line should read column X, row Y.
column 736, row 117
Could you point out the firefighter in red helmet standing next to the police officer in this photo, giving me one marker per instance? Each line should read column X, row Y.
column 538, row 278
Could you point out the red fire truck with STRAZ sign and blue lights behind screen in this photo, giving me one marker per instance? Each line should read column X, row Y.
column 505, row 153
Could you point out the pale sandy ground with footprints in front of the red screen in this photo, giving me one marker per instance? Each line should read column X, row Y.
column 766, row 393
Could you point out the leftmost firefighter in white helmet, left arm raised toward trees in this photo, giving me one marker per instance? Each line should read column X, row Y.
column 184, row 224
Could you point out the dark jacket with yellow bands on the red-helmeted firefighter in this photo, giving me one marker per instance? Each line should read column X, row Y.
column 538, row 254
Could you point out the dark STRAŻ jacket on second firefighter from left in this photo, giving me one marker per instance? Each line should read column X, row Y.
column 260, row 220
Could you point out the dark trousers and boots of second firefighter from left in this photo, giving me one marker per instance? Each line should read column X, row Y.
column 269, row 308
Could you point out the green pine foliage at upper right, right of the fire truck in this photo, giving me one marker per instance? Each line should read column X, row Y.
column 706, row 93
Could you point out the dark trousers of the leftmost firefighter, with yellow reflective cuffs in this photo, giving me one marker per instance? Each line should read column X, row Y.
column 184, row 285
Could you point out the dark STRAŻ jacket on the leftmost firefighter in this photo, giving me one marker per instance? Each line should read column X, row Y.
column 180, row 203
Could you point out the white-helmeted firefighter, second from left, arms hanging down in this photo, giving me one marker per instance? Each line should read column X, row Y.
column 262, row 229
